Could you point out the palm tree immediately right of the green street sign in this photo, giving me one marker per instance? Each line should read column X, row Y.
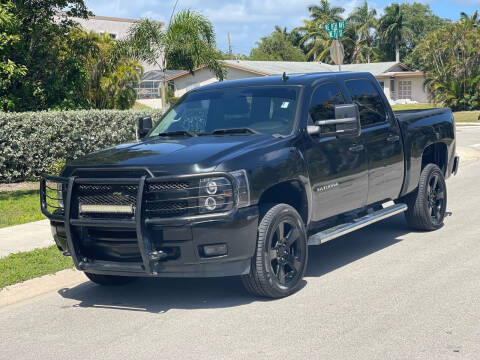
column 365, row 22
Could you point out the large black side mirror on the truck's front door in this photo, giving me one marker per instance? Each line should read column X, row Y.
column 345, row 124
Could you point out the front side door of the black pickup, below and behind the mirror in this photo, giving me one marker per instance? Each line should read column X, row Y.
column 337, row 165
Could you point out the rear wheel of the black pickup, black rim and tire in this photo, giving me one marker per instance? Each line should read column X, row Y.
column 427, row 205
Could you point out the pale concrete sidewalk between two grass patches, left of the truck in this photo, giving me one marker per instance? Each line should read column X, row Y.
column 26, row 237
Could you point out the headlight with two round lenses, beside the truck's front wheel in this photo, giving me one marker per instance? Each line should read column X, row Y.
column 216, row 194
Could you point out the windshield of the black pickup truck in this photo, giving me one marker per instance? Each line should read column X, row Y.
column 263, row 109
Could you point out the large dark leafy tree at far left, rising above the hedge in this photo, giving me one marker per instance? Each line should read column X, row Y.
column 41, row 33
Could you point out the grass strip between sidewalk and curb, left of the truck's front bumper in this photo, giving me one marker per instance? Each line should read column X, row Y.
column 28, row 265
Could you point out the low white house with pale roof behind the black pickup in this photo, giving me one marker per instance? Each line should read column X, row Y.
column 399, row 82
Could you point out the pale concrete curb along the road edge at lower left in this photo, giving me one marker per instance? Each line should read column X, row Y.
column 30, row 289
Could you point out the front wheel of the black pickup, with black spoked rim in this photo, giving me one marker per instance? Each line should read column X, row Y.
column 281, row 256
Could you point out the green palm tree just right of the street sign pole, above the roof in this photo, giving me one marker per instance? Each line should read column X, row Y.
column 363, row 24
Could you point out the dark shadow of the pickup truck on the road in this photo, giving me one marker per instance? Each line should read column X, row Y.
column 162, row 294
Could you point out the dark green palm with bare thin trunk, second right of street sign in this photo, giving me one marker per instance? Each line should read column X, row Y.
column 392, row 28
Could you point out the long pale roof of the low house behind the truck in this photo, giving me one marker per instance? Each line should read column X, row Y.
column 266, row 68
